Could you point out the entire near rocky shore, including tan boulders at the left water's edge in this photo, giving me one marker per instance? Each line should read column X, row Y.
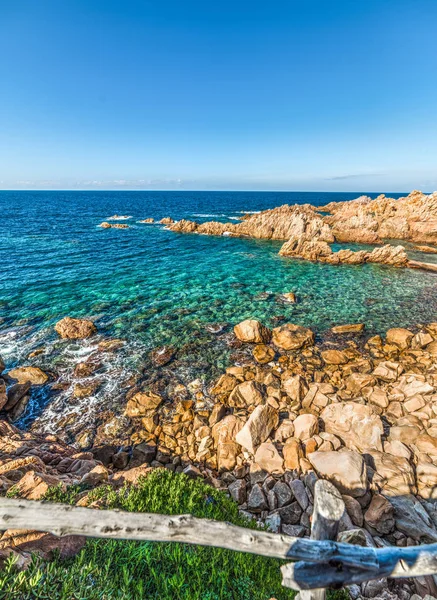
column 359, row 411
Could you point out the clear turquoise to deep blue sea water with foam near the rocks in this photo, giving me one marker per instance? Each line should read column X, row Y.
column 153, row 287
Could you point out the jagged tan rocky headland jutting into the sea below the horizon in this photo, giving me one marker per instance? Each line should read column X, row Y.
column 308, row 231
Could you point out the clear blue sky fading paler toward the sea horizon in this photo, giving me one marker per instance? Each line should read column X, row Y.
column 160, row 94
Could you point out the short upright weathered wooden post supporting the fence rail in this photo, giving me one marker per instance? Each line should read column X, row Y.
column 328, row 510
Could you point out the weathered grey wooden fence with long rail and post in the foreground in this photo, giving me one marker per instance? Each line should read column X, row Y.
column 319, row 562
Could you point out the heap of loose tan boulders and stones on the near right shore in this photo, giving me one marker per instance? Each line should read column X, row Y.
column 364, row 418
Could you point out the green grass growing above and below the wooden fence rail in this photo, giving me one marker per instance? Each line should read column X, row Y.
column 107, row 569
